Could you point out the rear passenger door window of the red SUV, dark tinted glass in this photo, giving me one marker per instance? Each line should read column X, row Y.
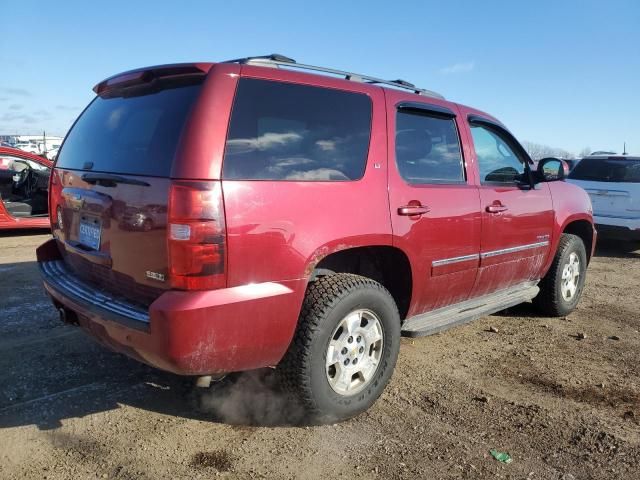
column 428, row 148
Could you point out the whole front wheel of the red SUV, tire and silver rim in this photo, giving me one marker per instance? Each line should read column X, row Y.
column 561, row 288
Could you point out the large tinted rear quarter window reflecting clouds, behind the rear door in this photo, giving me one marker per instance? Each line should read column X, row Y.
column 283, row 131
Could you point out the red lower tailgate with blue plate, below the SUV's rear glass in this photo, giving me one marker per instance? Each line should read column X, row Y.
column 109, row 236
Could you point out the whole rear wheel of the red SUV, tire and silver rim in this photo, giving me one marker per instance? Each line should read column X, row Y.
column 344, row 349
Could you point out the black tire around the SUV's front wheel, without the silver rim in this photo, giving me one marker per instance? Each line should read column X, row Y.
column 550, row 300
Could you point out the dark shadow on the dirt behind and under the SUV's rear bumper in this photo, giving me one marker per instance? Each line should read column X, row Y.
column 50, row 372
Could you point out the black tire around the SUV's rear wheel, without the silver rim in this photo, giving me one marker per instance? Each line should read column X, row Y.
column 303, row 373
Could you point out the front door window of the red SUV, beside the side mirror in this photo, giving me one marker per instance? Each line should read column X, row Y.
column 497, row 161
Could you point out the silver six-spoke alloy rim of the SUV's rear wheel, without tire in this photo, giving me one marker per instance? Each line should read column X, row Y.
column 354, row 352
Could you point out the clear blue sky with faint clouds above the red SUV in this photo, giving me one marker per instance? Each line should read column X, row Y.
column 561, row 73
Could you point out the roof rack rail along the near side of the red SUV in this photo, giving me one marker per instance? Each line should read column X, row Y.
column 277, row 60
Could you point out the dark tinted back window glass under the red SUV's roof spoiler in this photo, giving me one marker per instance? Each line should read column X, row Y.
column 133, row 133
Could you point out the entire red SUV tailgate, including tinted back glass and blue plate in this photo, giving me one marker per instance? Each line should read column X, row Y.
column 110, row 187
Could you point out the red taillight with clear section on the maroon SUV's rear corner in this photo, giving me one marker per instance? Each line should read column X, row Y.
column 196, row 236
